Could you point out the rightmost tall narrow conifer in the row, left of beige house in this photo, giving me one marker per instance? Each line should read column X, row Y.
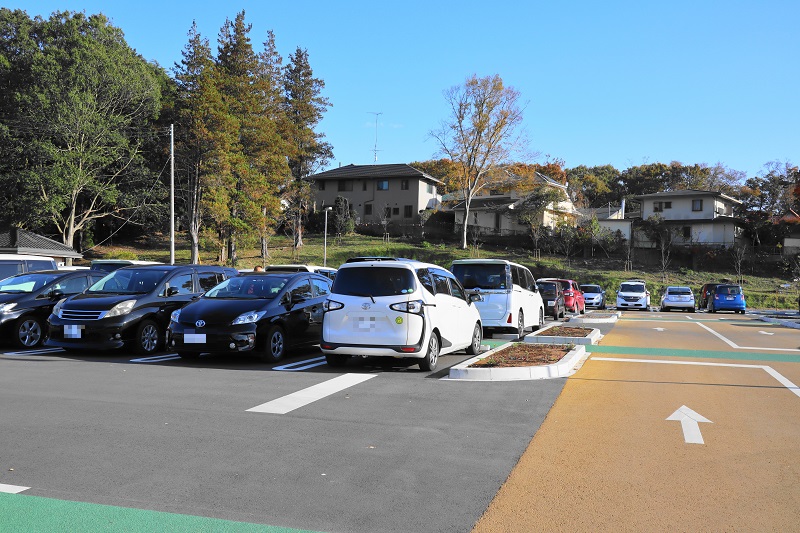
column 308, row 152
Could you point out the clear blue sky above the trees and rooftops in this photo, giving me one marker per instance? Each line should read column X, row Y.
column 620, row 83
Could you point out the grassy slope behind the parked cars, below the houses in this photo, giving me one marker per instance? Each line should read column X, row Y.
column 761, row 292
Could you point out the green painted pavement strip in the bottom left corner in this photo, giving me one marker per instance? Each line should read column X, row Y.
column 22, row 513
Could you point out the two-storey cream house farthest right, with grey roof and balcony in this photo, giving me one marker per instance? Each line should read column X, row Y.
column 700, row 217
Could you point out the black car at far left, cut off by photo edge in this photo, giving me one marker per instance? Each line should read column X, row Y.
column 26, row 301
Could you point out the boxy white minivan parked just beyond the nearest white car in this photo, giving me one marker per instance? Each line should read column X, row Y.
column 511, row 300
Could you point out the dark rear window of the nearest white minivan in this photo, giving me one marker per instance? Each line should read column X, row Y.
column 373, row 281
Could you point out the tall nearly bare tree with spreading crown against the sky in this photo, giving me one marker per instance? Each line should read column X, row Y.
column 480, row 135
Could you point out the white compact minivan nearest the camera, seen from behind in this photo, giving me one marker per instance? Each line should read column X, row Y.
column 398, row 308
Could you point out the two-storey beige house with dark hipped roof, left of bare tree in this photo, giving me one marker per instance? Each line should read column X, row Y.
column 398, row 191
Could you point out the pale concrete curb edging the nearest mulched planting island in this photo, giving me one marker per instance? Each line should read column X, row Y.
column 563, row 368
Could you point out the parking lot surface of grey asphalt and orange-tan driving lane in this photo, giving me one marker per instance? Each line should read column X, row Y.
column 387, row 447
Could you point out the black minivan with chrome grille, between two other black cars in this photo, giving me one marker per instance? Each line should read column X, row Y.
column 131, row 305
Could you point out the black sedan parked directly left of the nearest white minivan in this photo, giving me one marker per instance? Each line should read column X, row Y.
column 265, row 313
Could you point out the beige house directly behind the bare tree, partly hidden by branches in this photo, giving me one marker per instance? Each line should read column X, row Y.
column 491, row 211
